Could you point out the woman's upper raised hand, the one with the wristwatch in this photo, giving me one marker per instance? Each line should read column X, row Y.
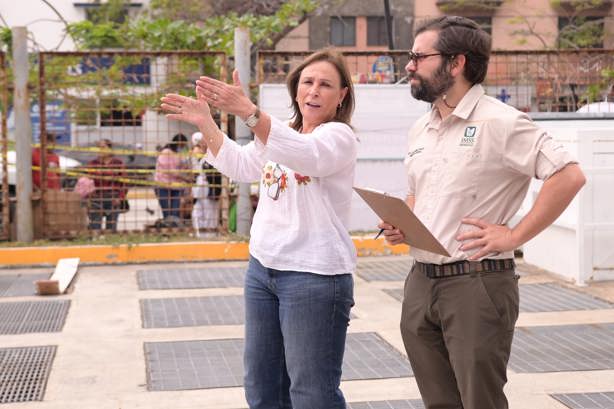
column 228, row 98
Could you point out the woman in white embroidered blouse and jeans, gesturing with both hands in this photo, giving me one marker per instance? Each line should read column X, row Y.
column 299, row 285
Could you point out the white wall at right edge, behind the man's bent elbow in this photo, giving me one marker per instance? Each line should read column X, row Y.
column 580, row 243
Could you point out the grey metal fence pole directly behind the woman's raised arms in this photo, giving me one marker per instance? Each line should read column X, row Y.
column 242, row 132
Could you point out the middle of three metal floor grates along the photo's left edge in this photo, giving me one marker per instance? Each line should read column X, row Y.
column 26, row 316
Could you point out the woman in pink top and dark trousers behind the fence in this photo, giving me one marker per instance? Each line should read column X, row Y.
column 171, row 171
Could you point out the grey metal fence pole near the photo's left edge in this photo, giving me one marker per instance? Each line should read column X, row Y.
column 23, row 135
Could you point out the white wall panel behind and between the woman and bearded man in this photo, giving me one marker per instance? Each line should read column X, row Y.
column 383, row 115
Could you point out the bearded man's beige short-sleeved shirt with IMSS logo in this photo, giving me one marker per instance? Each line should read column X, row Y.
column 476, row 163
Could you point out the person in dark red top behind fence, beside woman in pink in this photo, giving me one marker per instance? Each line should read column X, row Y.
column 106, row 200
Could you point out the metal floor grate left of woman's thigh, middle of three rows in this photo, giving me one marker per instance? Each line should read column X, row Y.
column 192, row 311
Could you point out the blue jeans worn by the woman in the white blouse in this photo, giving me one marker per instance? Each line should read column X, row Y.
column 295, row 328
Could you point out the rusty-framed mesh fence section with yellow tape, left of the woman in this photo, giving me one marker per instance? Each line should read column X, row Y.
column 107, row 160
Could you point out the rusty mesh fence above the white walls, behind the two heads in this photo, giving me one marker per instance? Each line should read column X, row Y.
column 537, row 81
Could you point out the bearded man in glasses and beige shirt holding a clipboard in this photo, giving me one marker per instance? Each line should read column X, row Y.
column 470, row 161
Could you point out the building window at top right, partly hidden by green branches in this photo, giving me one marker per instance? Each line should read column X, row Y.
column 580, row 32
